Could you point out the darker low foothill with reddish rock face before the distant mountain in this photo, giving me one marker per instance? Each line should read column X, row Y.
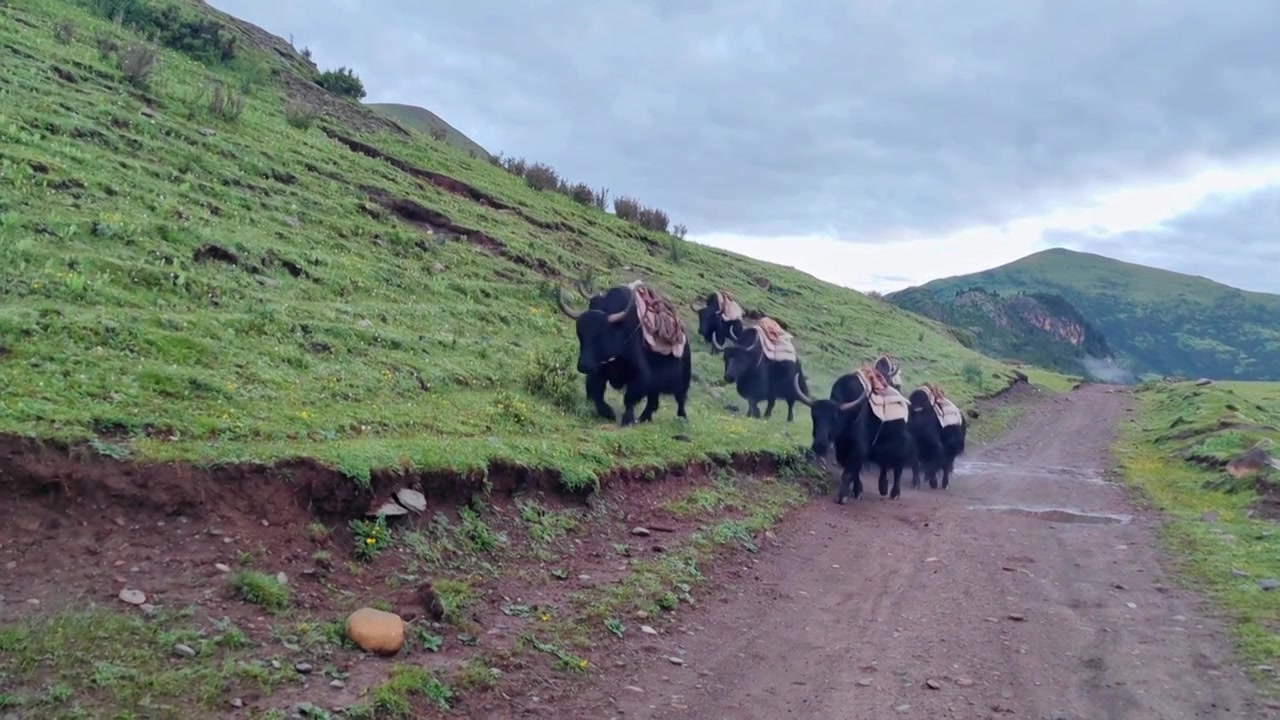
column 1039, row 329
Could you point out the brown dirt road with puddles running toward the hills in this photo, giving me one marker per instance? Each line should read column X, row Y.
column 932, row 608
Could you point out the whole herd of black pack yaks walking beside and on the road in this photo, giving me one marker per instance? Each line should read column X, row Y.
column 632, row 339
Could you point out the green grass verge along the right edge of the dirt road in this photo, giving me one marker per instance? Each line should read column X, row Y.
column 1226, row 558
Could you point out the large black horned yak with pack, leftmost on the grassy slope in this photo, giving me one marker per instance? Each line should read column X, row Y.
column 632, row 340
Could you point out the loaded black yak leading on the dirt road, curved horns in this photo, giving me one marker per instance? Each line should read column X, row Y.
column 866, row 421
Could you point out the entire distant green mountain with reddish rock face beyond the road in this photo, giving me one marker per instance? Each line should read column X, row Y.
column 1156, row 322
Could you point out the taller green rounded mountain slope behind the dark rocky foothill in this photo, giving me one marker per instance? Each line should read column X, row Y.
column 1159, row 322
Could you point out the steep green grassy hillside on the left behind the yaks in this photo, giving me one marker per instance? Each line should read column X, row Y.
column 342, row 335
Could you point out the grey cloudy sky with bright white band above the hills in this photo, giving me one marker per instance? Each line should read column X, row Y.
column 875, row 144
